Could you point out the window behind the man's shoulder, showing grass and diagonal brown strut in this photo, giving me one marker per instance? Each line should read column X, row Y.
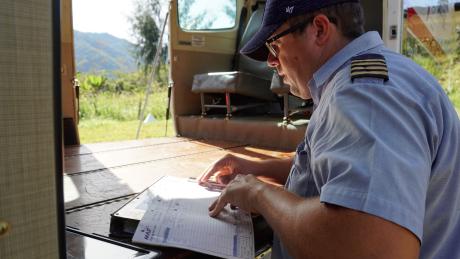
column 431, row 37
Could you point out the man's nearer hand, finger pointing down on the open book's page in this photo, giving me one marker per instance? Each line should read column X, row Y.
column 241, row 192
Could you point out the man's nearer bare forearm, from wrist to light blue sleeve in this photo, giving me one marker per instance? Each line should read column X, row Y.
column 311, row 229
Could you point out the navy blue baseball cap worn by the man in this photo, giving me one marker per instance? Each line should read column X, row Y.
column 275, row 14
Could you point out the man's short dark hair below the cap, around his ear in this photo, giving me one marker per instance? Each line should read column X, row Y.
column 348, row 17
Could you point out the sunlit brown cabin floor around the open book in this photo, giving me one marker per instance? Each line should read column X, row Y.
column 100, row 178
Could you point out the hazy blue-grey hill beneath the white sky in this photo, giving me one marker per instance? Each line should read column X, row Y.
column 96, row 52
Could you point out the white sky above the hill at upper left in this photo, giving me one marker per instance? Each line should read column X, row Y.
column 109, row 16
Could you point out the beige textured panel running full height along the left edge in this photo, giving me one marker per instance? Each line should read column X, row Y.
column 28, row 137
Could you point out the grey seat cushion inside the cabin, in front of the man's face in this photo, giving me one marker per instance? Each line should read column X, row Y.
column 233, row 82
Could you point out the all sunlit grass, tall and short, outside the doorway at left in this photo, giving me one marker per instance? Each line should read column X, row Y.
column 110, row 116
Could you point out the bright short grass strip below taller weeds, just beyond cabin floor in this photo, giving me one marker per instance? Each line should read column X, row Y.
column 107, row 130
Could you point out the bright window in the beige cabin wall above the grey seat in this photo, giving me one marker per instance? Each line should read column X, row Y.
column 207, row 14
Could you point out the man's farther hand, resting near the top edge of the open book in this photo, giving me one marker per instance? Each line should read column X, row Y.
column 221, row 172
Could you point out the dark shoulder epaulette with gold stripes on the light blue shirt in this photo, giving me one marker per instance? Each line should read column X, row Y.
column 369, row 65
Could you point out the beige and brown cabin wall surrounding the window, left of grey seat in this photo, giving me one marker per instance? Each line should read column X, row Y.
column 195, row 52
